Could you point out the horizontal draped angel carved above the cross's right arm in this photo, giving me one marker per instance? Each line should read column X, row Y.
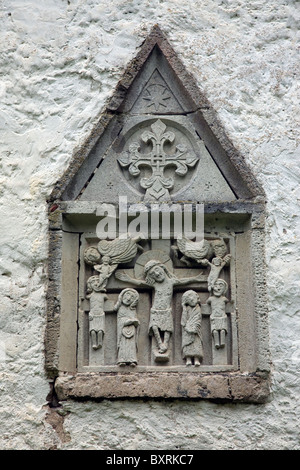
column 197, row 251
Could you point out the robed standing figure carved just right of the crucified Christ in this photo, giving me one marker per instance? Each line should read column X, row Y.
column 191, row 319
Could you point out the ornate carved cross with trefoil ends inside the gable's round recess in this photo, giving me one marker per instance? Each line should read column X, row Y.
column 157, row 185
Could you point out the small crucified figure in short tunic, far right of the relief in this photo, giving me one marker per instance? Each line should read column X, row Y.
column 218, row 317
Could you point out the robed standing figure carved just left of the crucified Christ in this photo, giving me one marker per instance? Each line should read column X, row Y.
column 127, row 326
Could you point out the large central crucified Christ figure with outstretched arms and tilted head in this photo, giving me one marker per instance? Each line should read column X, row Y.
column 163, row 282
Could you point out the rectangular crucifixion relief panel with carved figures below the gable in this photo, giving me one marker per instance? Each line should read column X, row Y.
column 156, row 277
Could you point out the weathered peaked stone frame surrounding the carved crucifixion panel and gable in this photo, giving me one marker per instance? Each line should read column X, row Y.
column 248, row 380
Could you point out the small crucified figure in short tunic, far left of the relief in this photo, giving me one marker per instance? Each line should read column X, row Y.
column 96, row 314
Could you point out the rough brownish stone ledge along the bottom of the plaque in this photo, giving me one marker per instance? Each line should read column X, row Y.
column 232, row 387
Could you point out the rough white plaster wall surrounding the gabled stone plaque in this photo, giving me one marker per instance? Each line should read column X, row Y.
column 60, row 62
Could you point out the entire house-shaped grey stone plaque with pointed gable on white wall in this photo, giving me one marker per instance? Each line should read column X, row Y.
column 144, row 308
